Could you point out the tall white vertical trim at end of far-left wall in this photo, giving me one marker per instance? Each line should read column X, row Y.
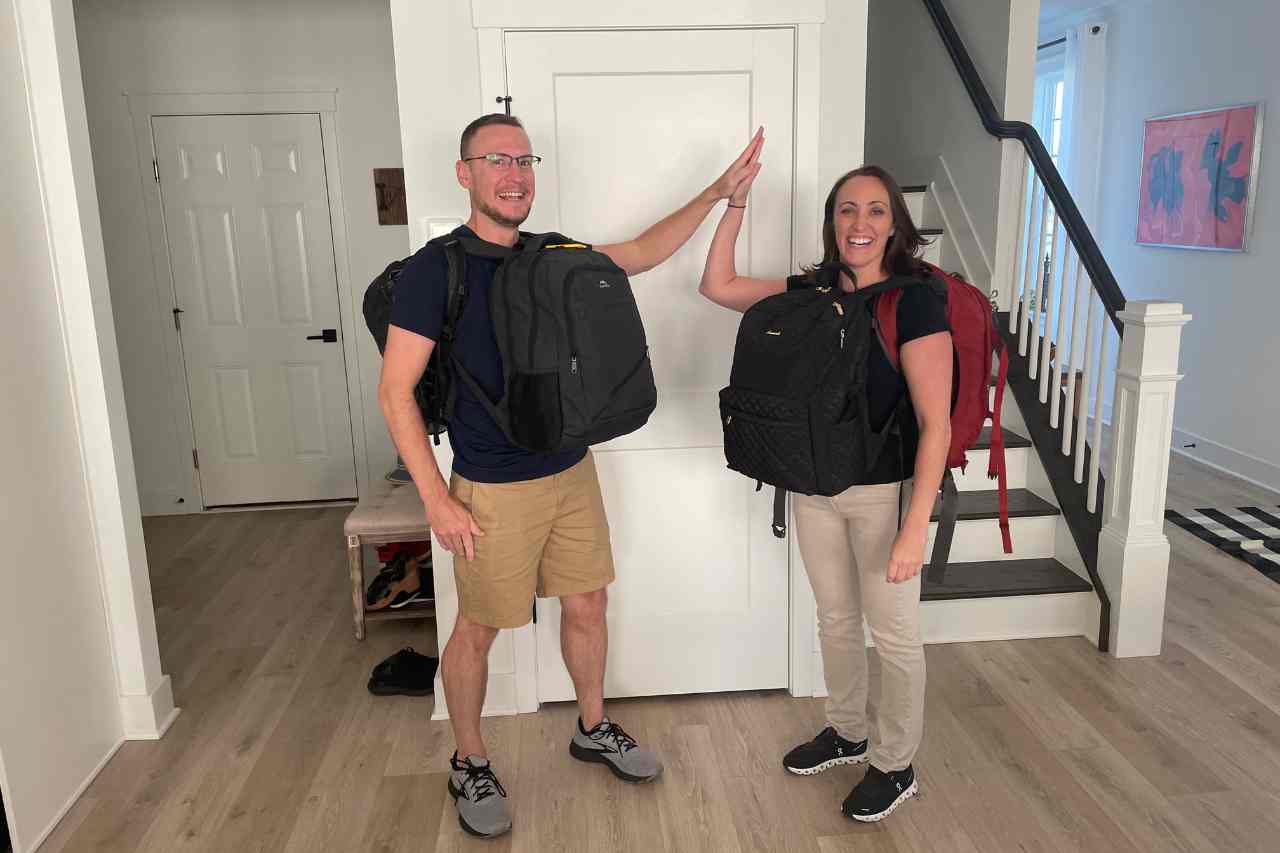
column 75, row 230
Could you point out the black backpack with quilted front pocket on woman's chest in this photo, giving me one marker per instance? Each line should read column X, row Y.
column 796, row 410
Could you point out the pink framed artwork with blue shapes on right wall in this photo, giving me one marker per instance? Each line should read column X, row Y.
column 1200, row 174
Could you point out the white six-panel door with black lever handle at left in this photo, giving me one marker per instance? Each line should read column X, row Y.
column 246, row 212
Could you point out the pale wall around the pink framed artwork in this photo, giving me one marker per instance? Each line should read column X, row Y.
column 1163, row 57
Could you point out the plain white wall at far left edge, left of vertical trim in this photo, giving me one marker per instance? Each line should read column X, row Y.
column 60, row 714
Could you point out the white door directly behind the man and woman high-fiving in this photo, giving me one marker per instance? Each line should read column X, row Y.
column 630, row 126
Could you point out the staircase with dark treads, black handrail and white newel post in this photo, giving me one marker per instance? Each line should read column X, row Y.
column 1091, row 556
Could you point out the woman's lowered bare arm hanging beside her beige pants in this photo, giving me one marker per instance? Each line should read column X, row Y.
column 927, row 367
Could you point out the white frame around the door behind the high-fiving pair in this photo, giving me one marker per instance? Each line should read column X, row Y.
column 806, row 244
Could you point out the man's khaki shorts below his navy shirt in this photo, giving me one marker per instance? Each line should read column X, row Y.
column 547, row 537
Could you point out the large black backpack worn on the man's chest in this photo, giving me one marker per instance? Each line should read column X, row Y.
column 574, row 352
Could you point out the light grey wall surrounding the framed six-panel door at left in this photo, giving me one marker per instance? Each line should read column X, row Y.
column 231, row 47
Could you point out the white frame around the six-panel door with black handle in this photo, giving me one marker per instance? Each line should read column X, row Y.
column 147, row 106
